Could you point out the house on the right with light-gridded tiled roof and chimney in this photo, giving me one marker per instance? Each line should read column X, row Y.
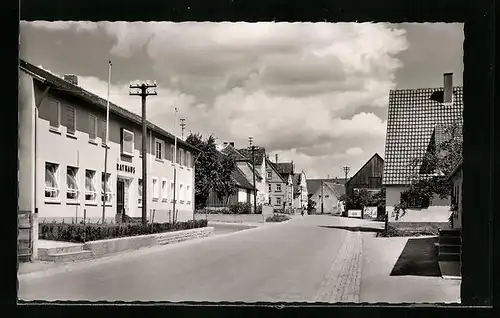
column 413, row 116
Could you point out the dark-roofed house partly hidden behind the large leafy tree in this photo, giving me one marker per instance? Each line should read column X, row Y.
column 243, row 193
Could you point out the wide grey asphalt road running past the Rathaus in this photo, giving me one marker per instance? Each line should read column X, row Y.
column 280, row 262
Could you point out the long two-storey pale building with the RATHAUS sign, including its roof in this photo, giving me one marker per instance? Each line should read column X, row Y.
column 62, row 149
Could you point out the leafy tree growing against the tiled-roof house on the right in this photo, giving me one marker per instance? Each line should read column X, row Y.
column 430, row 171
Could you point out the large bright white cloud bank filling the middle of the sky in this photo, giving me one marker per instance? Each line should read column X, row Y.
column 295, row 87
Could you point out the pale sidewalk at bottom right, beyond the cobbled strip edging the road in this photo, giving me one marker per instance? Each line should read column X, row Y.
column 380, row 256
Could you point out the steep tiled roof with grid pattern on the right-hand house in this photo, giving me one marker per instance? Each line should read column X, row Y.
column 412, row 117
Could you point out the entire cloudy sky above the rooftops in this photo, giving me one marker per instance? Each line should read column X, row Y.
column 313, row 93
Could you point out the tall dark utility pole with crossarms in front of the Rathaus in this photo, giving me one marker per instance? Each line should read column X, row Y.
column 144, row 90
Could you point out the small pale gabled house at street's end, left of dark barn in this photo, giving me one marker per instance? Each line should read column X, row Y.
column 327, row 197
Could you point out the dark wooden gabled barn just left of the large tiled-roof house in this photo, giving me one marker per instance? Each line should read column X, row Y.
column 368, row 177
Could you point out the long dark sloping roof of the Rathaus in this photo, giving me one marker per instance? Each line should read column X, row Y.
column 77, row 91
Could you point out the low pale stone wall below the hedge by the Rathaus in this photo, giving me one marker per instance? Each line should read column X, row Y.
column 103, row 247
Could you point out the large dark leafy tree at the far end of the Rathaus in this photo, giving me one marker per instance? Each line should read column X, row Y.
column 212, row 172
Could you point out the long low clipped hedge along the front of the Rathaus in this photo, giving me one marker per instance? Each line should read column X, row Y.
column 80, row 233
